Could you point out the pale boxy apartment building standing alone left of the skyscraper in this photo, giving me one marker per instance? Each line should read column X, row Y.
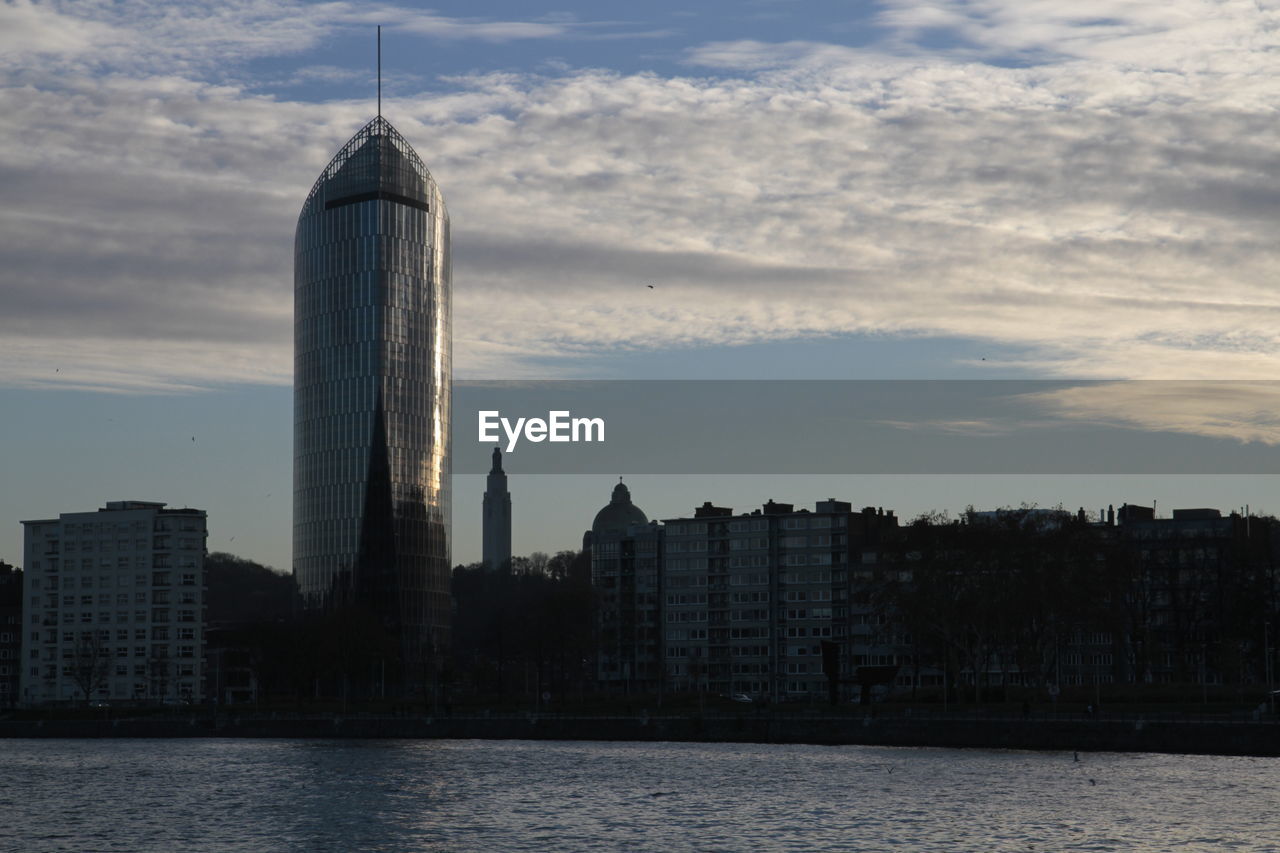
column 115, row 606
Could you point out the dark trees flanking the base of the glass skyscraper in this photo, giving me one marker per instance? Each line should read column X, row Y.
column 524, row 631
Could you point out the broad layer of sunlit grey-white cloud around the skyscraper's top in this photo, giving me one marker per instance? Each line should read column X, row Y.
column 1109, row 215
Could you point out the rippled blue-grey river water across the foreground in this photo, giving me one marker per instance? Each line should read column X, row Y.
column 313, row 796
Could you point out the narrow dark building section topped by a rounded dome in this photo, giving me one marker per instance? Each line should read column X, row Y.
column 625, row 549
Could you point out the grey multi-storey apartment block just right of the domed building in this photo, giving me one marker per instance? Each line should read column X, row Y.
column 751, row 599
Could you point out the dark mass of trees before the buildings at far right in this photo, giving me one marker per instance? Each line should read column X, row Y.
column 1003, row 600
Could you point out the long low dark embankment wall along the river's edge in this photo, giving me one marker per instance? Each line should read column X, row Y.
column 1131, row 735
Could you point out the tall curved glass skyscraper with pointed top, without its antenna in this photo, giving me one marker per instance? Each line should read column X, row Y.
column 373, row 391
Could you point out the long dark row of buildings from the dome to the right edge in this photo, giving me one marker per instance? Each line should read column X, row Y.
column 793, row 604
